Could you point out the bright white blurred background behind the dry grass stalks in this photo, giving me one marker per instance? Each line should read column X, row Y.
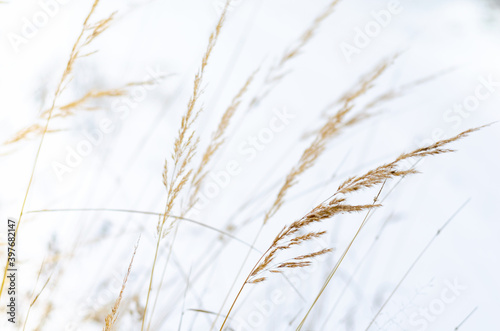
column 87, row 253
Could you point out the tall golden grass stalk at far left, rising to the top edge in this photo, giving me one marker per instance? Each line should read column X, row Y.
column 88, row 34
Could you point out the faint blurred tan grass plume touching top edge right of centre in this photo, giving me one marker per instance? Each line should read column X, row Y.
column 276, row 72
